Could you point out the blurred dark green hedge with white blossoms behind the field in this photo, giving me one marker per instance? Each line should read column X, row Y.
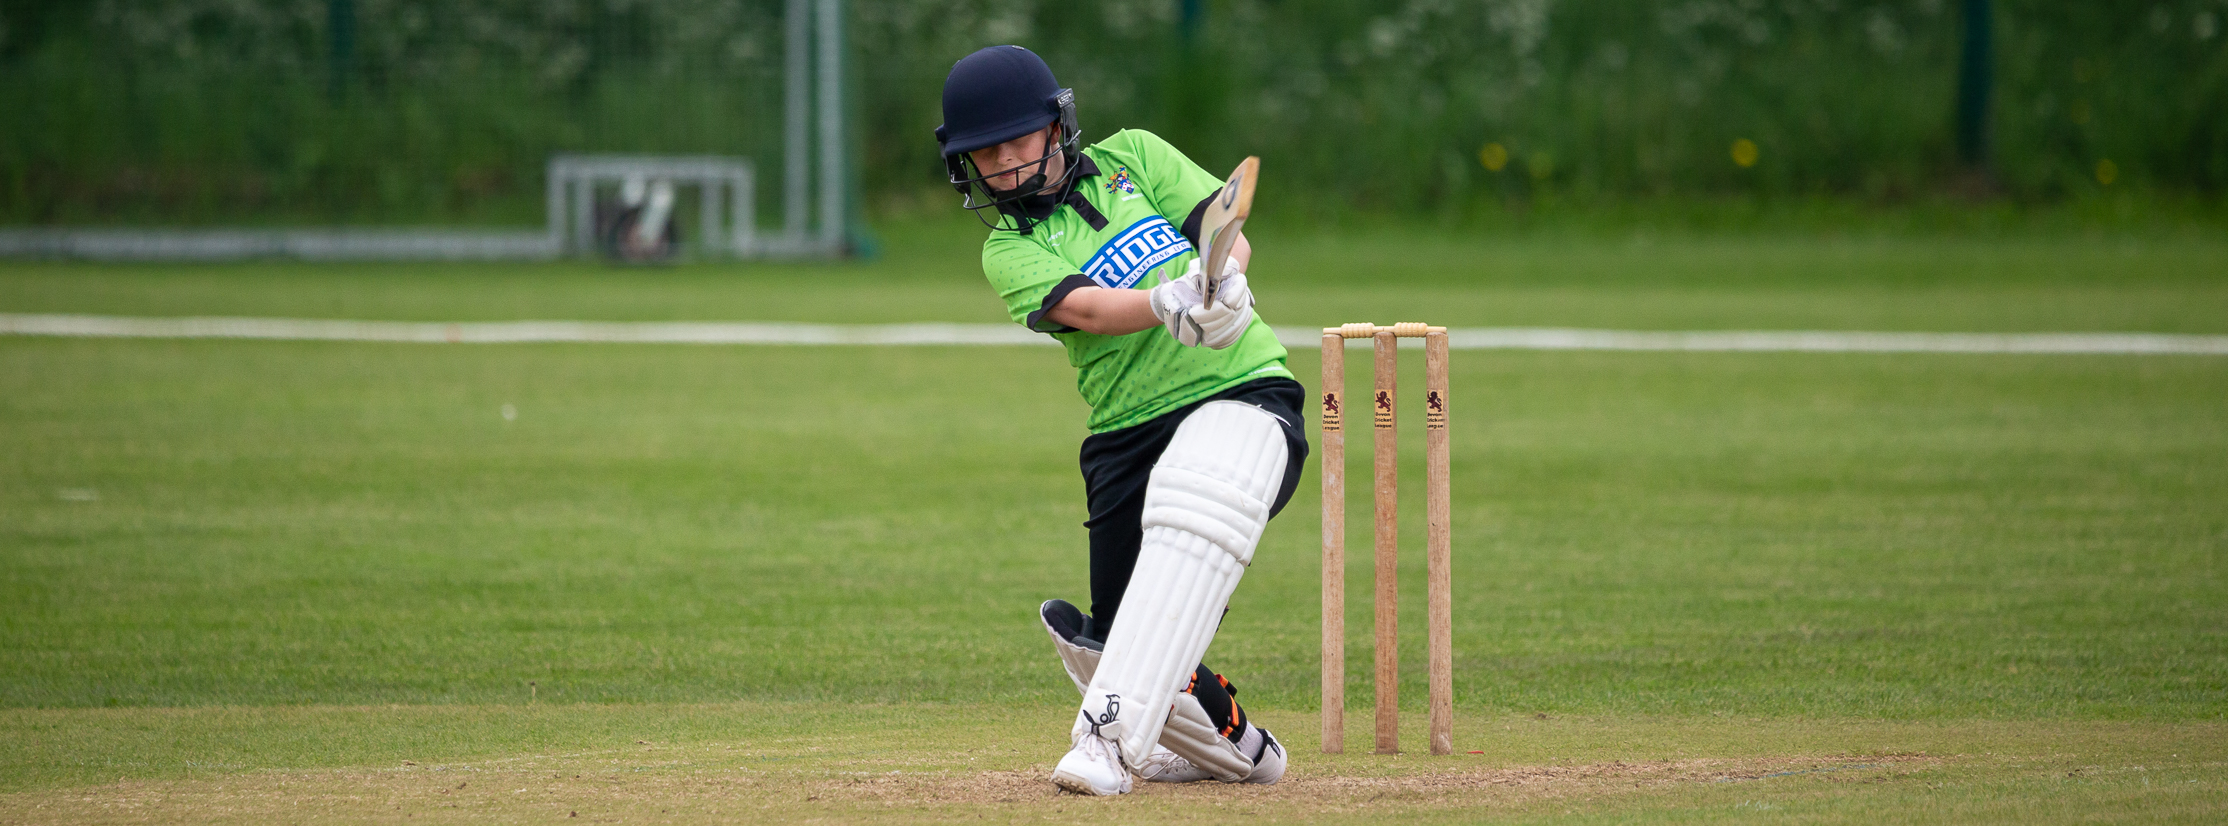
column 237, row 110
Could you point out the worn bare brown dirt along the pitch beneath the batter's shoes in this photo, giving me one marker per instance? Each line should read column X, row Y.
column 681, row 794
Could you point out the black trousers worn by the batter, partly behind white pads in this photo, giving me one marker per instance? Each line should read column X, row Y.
column 1117, row 466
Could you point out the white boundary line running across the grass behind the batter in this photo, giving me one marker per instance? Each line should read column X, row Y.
column 781, row 333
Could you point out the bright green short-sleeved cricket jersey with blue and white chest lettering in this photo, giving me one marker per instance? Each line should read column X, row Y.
column 1133, row 217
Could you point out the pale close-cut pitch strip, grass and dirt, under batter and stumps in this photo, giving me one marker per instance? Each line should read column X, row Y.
column 772, row 763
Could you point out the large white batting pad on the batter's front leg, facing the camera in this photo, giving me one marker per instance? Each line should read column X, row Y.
column 1206, row 507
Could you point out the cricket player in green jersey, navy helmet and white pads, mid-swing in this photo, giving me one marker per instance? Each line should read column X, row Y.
column 1195, row 420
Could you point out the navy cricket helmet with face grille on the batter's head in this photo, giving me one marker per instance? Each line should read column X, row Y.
column 995, row 97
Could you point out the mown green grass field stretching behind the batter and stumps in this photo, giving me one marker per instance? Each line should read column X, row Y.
column 331, row 580
